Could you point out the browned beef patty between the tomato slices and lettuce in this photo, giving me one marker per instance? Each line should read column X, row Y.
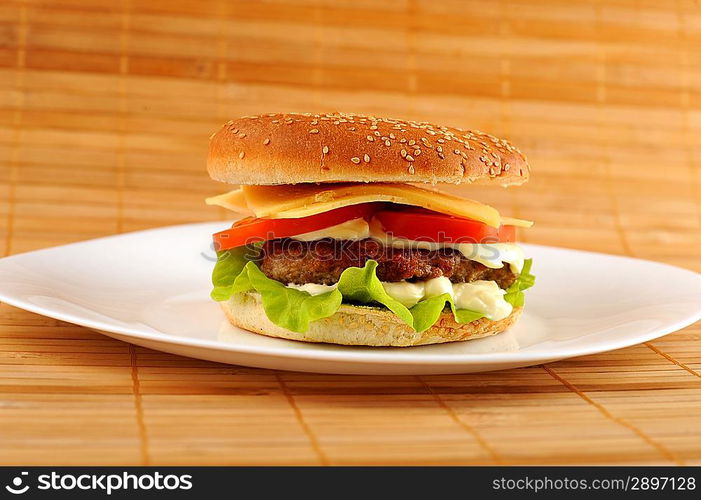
column 323, row 261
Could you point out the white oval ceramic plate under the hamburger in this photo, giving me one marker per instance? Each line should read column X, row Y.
column 151, row 288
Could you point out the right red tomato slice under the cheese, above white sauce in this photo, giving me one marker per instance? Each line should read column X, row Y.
column 425, row 225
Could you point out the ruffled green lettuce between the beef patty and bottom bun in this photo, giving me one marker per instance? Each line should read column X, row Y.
column 236, row 272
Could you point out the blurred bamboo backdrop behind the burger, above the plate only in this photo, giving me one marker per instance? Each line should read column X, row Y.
column 106, row 107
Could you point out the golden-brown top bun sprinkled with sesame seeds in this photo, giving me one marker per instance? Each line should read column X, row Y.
column 291, row 148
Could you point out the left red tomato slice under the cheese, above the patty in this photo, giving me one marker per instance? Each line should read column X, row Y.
column 252, row 230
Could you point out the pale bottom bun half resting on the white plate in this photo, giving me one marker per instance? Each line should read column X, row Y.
column 362, row 325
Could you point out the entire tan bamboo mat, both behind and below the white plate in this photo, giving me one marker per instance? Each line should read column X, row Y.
column 105, row 111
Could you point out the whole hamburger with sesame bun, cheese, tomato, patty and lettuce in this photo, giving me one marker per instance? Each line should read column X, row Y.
column 346, row 235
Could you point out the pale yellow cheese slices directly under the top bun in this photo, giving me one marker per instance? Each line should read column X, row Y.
column 303, row 200
